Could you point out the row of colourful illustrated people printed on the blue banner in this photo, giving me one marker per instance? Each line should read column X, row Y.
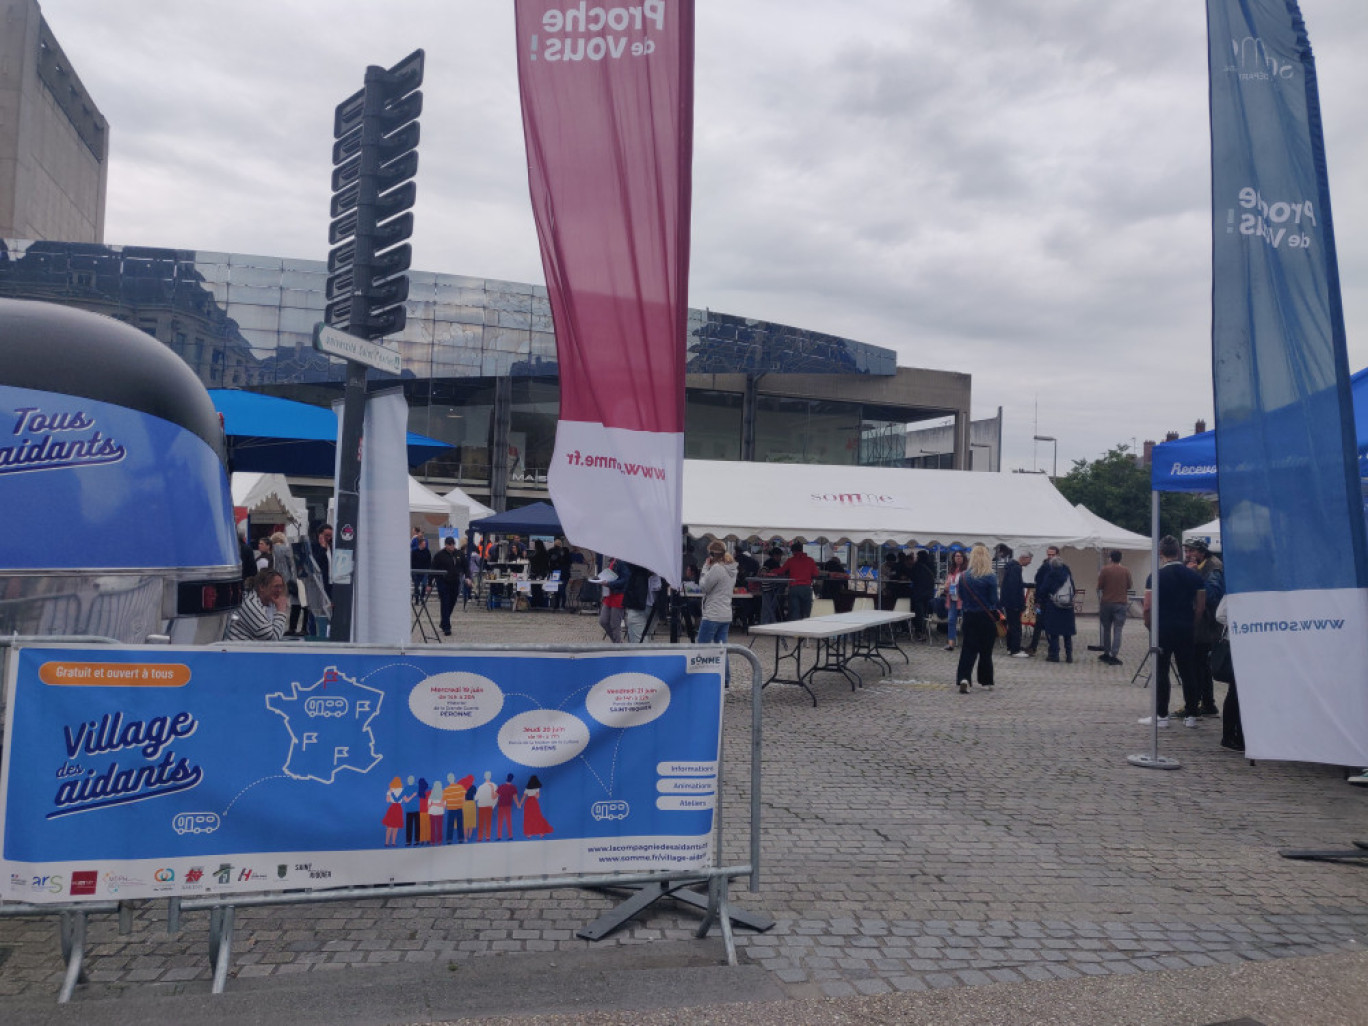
column 462, row 812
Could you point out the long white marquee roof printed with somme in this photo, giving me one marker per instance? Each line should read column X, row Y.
column 875, row 504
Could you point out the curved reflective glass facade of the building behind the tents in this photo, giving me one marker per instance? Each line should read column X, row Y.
column 479, row 359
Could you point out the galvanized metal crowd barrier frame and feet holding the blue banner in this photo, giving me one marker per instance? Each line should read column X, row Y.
column 649, row 887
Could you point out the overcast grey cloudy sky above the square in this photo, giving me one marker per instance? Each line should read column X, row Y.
column 1016, row 189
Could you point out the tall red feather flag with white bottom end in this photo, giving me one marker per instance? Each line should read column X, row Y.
column 608, row 114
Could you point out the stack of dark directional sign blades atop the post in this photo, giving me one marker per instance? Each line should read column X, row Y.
column 376, row 157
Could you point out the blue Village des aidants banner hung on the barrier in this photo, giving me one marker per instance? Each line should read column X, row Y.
column 155, row 772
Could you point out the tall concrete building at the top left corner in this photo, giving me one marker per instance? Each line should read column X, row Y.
column 54, row 142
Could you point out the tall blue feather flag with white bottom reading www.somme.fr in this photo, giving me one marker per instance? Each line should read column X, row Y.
column 1292, row 511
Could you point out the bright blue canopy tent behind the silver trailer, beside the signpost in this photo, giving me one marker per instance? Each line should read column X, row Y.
column 274, row 436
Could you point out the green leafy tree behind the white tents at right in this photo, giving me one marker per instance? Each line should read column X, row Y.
column 1117, row 489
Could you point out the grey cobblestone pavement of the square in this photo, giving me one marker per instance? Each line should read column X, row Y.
column 913, row 839
